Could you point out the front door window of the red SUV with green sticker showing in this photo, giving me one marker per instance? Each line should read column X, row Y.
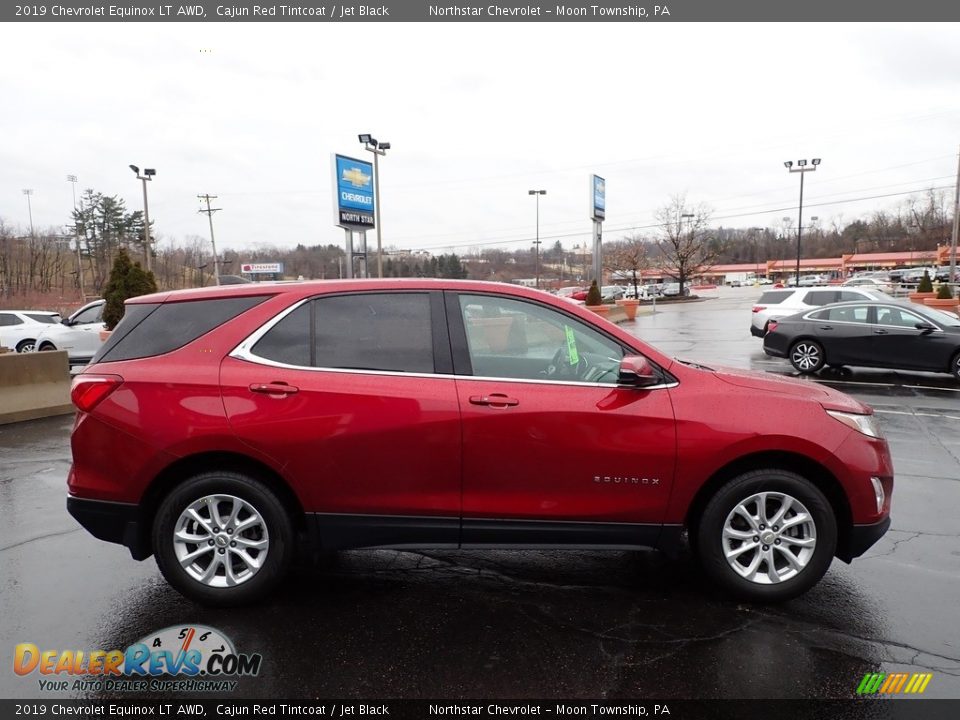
column 513, row 339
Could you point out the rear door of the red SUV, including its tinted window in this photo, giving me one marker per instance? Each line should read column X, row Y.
column 353, row 396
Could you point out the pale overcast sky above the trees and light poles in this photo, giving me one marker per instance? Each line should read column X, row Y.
column 477, row 115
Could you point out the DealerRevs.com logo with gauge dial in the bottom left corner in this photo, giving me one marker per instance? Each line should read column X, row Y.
column 187, row 658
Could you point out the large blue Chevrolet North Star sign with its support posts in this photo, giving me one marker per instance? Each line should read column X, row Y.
column 354, row 206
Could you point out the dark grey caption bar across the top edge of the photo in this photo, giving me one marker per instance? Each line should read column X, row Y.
column 456, row 11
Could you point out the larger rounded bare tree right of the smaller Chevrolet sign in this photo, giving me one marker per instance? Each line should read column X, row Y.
column 685, row 242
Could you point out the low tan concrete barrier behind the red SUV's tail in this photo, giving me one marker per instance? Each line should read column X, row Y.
column 34, row 385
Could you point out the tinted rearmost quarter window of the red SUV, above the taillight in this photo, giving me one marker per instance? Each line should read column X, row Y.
column 154, row 329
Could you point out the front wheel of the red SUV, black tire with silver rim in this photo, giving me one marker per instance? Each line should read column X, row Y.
column 789, row 581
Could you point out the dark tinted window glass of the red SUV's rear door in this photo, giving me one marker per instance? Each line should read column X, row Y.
column 366, row 331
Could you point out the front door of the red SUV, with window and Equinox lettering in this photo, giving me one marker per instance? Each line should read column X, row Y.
column 553, row 449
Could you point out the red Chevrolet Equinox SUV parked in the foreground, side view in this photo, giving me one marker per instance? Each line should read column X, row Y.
column 224, row 429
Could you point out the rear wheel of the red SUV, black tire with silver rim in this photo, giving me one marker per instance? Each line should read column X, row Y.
column 258, row 508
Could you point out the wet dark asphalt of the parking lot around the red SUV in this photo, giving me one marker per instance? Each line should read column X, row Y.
column 535, row 624
